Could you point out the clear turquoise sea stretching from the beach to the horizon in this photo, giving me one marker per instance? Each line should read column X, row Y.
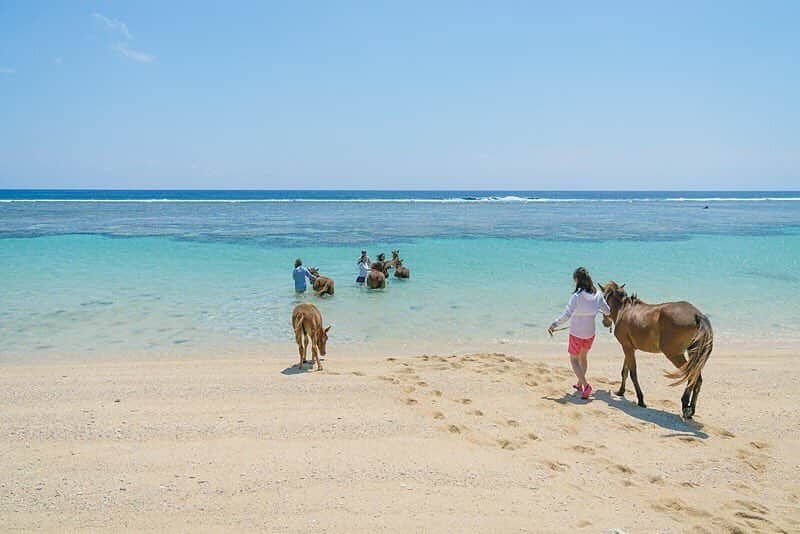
column 115, row 274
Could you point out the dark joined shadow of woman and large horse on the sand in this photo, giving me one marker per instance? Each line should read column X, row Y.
column 678, row 426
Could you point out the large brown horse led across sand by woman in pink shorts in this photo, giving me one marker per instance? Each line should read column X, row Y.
column 673, row 328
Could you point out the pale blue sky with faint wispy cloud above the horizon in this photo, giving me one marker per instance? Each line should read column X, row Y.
column 521, row 95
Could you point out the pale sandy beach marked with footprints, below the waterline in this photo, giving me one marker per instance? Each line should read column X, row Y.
column 481, row 442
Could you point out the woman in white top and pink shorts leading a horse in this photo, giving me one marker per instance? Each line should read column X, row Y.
column 583, row 306
